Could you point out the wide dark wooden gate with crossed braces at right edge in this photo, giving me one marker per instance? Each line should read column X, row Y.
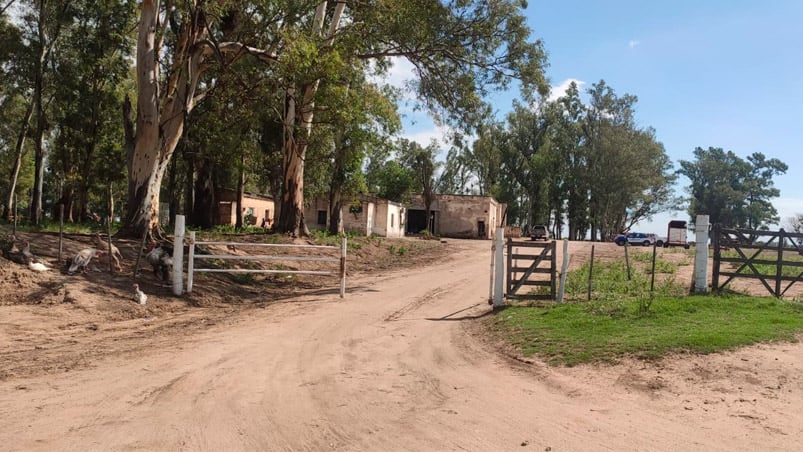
column 761, row 255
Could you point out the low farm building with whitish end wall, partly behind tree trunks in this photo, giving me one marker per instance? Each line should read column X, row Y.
column 367, row 215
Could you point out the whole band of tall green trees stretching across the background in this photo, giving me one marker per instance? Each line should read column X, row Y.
column 149, row 101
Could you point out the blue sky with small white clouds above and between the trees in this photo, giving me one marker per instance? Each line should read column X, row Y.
column 715, row 73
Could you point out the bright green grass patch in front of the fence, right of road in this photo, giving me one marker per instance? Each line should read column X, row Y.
column 606, row 331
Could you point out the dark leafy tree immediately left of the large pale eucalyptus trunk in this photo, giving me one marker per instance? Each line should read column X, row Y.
column 87, row 156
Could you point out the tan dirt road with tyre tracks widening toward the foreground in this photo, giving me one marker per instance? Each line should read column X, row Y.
column 396, row 366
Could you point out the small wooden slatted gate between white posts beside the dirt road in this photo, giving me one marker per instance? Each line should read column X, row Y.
column 530, row 264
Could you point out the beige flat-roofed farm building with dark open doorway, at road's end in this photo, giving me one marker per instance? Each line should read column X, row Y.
column 459, row 216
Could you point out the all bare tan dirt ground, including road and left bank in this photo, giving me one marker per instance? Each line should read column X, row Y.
column 401, row 363
